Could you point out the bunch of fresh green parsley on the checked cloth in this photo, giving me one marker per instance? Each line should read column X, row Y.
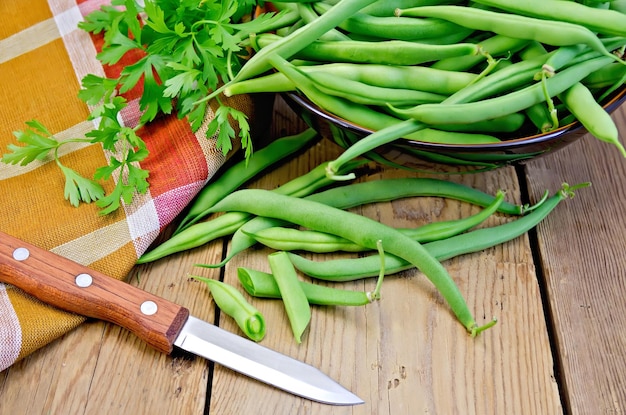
column 188, row 49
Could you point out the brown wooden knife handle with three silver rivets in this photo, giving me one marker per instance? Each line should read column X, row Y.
column 70, row 286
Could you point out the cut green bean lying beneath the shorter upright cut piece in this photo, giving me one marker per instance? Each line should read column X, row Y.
column 262, row 284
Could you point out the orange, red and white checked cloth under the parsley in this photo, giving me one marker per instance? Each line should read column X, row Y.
column 43, row 57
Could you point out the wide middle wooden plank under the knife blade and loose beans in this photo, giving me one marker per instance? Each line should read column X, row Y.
column 407, row 353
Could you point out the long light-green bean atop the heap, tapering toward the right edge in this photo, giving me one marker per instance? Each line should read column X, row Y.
column 550, row 32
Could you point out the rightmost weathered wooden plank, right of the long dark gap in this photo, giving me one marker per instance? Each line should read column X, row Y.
column 583, row 257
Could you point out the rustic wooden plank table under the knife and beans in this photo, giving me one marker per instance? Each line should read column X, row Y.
column 559, row 294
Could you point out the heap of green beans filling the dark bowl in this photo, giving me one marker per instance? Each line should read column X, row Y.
column 460, row 49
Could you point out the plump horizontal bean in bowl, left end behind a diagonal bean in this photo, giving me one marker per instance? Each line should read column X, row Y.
column 387, row 52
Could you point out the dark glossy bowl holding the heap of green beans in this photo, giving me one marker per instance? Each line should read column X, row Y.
column 417, row 155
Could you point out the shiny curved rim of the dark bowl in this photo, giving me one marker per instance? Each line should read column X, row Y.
column 617, row 98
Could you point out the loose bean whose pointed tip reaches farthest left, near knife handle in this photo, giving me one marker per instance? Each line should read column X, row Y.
column 203, row 232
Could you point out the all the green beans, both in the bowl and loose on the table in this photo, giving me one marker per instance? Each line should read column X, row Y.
column 444, row 71
